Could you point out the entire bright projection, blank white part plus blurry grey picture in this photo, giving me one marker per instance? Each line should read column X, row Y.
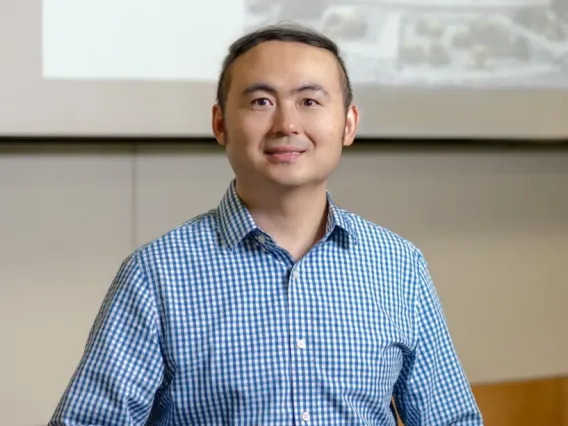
column 422, row 43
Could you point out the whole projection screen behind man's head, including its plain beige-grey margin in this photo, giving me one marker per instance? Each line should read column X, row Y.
column 420, row 68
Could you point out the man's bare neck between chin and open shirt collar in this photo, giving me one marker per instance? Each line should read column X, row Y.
column 295, row 218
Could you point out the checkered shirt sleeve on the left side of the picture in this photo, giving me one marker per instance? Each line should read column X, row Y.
column 121, row 366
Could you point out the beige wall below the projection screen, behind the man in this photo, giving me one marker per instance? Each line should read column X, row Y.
column 493, row 225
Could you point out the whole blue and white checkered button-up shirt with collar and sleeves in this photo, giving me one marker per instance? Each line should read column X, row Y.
column 214, row 324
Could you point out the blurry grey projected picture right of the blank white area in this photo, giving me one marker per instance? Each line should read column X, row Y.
column 437, row 42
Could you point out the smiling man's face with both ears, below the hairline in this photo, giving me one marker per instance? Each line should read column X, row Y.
column 285, row 121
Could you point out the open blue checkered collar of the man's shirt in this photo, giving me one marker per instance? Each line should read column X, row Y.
column 236, row 222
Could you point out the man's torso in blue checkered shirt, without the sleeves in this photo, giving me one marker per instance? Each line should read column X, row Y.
column 250, row 337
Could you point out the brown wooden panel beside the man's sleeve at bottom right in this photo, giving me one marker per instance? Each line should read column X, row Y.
column 542, row 402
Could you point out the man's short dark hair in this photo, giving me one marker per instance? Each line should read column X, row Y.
column 288, row 32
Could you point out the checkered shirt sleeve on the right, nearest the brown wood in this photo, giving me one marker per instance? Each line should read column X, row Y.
column 433, row 389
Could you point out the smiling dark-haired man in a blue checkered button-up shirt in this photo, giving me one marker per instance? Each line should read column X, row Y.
column 278, row 307
